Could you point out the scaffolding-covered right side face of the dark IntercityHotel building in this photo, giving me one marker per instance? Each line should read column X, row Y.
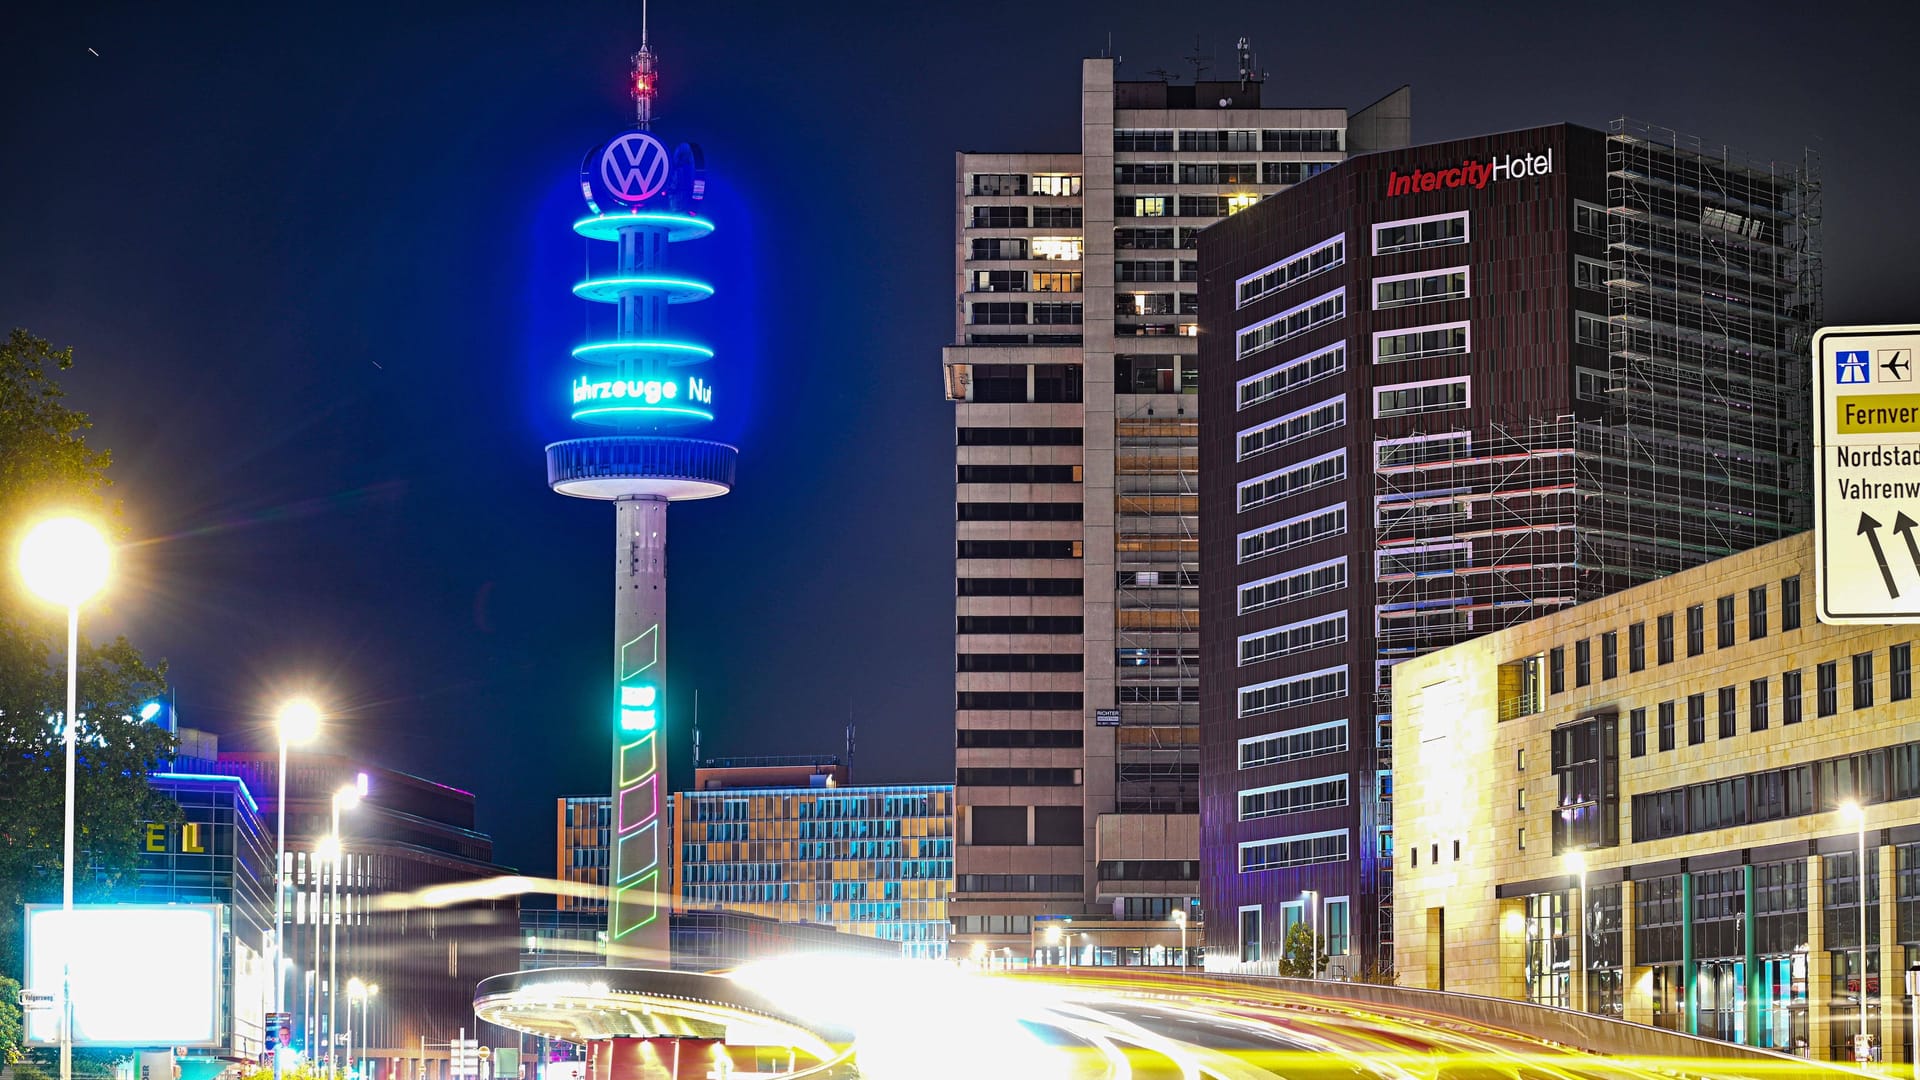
column 1698, row 441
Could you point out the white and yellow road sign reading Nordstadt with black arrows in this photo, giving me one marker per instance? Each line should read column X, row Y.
column 1867, row 476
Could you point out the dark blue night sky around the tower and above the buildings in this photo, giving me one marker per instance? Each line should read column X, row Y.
column 316, row 266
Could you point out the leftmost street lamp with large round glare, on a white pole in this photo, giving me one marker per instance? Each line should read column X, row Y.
column 66, row 562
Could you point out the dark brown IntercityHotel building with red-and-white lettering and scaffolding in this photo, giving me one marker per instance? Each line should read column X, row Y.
column 1452, row 389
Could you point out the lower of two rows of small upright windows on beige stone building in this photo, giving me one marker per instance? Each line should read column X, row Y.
column 1792, row 702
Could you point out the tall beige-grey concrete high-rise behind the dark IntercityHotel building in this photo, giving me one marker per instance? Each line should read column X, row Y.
column 1074, row 381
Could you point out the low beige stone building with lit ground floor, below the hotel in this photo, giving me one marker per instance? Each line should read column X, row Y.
column 1692, row 745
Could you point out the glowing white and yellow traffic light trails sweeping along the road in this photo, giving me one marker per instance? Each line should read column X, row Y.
column 924, row 1021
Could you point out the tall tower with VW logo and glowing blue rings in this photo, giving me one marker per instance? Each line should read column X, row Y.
column 642, row 387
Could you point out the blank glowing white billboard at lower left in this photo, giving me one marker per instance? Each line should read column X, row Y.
column 143, row 973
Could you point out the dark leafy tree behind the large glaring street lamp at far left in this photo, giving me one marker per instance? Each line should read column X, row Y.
column 47, row 468
